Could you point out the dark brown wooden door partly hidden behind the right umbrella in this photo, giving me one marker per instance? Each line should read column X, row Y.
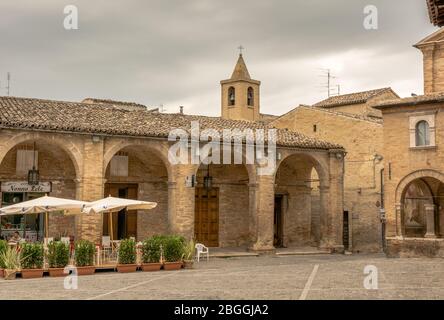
column 126, row 227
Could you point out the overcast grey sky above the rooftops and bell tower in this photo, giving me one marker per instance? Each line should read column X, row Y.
column 175, row 52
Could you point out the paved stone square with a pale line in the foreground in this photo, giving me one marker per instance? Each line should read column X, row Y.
column 264, row 277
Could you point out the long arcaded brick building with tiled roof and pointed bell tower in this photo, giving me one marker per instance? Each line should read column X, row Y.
column 96, row 148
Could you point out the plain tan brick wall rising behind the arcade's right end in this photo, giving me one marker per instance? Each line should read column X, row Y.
column 362, row 139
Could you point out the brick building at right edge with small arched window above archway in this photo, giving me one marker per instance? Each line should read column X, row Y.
column 414, row 175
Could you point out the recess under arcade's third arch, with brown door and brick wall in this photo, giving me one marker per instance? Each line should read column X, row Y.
column 222, row 213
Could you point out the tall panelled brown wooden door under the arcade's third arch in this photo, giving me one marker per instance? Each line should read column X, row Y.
column 206, row 222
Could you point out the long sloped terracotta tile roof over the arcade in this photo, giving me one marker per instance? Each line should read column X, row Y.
column 49, row 115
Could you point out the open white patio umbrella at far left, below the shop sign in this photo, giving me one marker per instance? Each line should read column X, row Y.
column 45, row 205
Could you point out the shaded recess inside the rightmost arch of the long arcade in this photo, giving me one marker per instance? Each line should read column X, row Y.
column 301, row 181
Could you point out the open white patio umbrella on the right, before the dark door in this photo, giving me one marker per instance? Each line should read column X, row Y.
column 112, row 204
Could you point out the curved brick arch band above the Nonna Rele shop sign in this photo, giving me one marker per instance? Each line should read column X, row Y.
column 65, row 144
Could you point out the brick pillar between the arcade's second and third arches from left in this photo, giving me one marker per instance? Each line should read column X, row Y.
column 181, row 201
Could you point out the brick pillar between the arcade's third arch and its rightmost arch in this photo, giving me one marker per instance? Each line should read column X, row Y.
column 264, row 204
